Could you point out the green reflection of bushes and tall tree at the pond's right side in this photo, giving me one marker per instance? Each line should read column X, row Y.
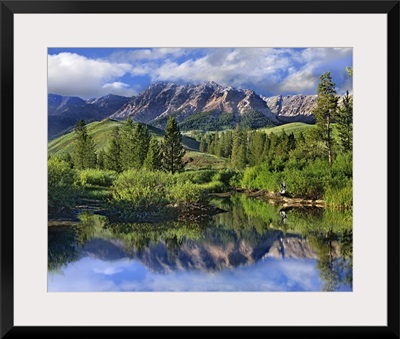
column 329, row 232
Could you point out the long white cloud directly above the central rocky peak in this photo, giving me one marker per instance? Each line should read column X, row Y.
column 236, row 67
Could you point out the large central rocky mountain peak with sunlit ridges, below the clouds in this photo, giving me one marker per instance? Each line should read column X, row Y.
column 162, row 99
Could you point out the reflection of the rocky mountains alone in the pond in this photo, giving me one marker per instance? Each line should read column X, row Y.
column 203, row 255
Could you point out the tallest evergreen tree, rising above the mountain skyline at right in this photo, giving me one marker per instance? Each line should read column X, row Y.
column 325, row 112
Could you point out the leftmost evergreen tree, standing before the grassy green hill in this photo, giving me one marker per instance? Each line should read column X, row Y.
column 84, row 155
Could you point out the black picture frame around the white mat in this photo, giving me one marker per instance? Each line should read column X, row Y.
column 9, row 8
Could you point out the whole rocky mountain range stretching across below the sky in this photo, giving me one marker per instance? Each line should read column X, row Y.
column 208, row 106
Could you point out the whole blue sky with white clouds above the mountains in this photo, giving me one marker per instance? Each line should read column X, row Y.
column 94, row 72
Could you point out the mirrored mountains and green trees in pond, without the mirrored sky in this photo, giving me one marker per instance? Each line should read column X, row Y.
column 249, row 232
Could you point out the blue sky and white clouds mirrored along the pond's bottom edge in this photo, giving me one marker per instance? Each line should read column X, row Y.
column 271, row 275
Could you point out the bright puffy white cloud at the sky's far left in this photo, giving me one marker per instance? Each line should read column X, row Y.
column 72, row 74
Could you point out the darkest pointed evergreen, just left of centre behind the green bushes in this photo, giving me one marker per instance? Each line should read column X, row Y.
column 172, row 149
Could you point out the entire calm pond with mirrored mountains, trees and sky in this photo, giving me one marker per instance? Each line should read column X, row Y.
column 250, row 247
